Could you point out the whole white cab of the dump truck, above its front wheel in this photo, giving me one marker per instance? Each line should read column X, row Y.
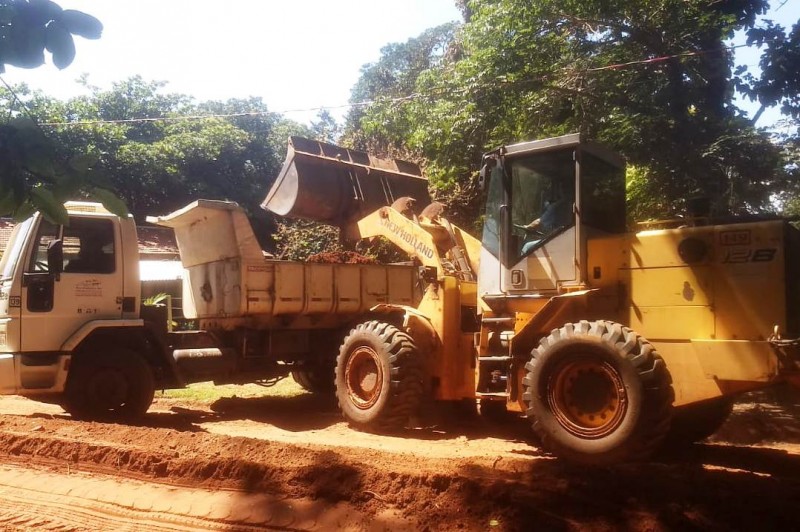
column 58, row 283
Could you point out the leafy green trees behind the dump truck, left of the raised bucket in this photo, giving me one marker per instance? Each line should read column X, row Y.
column 162, row 150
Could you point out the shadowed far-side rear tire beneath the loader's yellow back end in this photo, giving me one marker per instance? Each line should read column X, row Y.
column 696, row 422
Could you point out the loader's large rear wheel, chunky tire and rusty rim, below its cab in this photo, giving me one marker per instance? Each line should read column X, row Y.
column 598, row 393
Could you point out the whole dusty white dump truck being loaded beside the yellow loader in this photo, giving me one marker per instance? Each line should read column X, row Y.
column 74, row 331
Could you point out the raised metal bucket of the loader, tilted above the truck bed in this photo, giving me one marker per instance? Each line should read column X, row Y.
column 337, row 186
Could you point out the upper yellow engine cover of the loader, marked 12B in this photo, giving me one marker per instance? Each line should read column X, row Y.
column 735, row 291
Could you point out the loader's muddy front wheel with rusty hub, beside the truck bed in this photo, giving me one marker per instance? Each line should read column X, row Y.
column 379, row 378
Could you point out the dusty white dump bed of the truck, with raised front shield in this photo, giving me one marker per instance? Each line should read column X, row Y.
column 228, row 276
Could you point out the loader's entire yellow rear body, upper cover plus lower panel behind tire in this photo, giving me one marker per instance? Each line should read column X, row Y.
column 708, row 314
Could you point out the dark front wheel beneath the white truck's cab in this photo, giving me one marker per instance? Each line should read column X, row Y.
column 118, row 385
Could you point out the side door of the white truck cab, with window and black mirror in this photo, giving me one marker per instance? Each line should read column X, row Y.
column 89, row 287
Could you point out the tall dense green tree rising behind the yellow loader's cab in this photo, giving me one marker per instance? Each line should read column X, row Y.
column 651, row 78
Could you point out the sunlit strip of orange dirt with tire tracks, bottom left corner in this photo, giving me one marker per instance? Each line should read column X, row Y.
column 35, row 499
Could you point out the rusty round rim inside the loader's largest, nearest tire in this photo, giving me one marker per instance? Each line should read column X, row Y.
column 587, row 397
